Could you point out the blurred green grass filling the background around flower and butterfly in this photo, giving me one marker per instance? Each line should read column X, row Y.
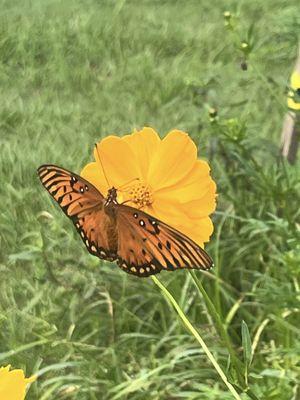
column 72, row 72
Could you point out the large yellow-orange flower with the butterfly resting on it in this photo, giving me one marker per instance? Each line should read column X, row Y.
column 163, row 177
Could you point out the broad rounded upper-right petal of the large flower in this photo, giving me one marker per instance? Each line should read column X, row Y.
column 173, row 160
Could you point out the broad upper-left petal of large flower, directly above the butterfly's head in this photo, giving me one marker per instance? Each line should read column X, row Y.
column 118, row 160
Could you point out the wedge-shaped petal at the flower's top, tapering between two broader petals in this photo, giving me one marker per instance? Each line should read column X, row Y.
column 144, row 144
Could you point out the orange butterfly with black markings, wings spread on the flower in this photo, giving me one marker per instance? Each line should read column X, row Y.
column 140, row 244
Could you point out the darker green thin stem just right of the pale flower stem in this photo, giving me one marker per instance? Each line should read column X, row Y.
column 222, row 332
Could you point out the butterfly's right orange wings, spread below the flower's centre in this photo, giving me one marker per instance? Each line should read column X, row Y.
column 146, row 245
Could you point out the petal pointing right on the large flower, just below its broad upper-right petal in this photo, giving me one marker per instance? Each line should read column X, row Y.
column 192, row 187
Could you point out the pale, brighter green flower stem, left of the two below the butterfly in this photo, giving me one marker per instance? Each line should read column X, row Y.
column 197, row 336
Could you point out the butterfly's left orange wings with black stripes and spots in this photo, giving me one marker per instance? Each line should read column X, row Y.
column 83, row 204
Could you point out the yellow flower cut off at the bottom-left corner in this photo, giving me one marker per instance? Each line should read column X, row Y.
column 13, row 384
